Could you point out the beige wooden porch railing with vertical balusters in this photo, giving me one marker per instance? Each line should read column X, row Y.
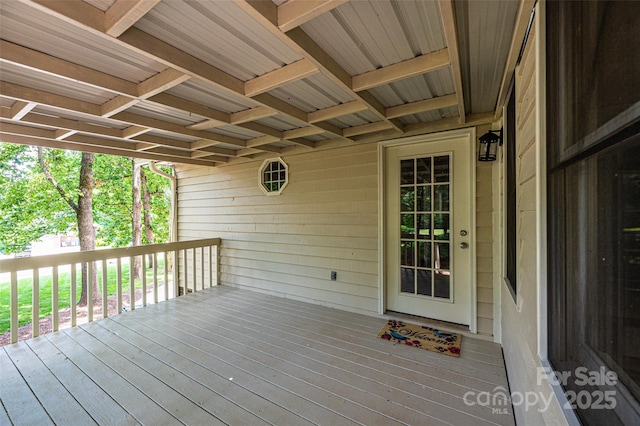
column 186, row 266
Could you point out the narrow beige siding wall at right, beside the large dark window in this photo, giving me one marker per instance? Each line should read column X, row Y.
column 520, row 318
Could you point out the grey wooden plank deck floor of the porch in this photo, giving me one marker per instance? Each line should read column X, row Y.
column 228, row 356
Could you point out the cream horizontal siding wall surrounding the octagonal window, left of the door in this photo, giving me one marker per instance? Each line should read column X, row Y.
column 325, row 220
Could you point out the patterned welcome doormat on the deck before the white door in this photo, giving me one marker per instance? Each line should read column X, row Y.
column 422, row 337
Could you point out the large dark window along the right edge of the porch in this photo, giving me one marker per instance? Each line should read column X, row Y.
column 593, row 123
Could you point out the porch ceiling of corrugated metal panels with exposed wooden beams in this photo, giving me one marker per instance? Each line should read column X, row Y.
column 209, row 82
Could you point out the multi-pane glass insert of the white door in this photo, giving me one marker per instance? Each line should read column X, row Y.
column 425, row 226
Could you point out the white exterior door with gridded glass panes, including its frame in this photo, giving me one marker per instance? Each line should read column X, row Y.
column 428, row 241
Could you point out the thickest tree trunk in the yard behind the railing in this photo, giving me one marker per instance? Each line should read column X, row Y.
column 86, row 230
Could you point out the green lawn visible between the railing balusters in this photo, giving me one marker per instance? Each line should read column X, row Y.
column 25, row 291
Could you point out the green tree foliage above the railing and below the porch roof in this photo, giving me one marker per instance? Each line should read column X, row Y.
column 30, row 207
